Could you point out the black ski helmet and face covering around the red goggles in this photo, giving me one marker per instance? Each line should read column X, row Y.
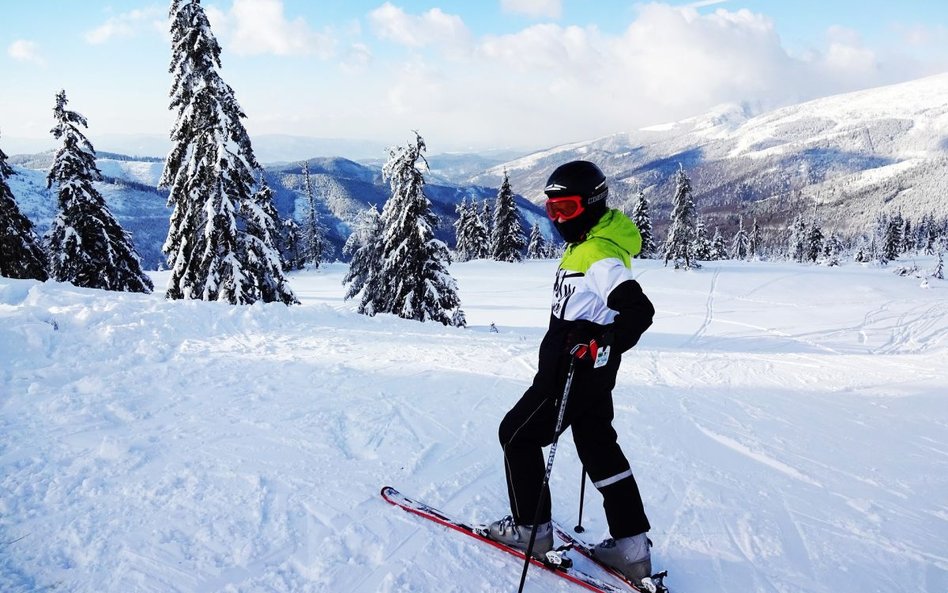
column 583, row 179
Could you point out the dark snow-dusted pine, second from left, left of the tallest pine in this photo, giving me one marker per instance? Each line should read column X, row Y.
column 86, row 244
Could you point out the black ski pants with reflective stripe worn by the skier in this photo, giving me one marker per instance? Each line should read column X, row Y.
column 529, row 426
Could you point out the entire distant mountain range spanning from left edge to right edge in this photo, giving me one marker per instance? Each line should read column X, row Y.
column 843, row 159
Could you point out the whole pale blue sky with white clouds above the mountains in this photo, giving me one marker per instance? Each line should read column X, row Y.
column 467, row 74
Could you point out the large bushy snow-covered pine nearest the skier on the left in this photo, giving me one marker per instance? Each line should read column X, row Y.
column 414, row 279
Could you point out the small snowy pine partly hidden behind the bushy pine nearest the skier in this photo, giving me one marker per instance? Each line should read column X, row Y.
column 365, row 247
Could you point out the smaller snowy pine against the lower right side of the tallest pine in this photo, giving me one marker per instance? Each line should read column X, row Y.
column 260, row 246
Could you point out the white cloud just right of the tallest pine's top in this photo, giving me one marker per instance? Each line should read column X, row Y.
column 253, row 27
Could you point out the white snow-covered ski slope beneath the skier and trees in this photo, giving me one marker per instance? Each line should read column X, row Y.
column 788, row 425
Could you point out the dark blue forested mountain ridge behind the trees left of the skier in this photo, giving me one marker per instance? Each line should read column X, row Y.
column 343, row 188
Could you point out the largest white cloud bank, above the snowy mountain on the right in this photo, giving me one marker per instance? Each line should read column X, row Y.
column 550, row 83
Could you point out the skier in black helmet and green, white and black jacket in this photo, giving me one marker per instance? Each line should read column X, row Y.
column 598, row 305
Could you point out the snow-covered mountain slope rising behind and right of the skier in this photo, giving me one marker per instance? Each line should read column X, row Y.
column 850, row 156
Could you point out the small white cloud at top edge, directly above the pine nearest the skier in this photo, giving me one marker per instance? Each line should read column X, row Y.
column 432, row 28
